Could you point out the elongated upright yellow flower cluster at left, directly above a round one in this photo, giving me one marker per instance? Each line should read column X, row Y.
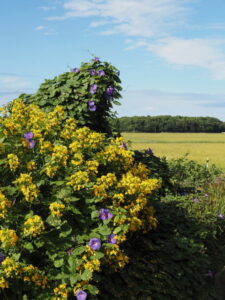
column 26, row 186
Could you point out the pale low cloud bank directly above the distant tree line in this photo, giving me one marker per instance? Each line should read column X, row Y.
column 153, row 102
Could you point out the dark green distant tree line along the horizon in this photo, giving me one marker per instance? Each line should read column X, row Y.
column 169, row 124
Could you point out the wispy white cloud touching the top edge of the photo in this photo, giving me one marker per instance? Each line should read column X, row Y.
column 146, row 18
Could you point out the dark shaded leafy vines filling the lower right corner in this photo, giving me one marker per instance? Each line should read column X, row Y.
column 177, row 261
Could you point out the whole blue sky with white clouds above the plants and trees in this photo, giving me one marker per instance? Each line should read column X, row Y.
column 170, row 53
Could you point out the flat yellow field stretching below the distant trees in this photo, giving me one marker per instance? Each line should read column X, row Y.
column 200, row 146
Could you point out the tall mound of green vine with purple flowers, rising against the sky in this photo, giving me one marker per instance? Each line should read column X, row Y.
column 87, row 94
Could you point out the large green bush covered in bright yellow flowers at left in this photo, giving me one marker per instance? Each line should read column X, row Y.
column 70, row 198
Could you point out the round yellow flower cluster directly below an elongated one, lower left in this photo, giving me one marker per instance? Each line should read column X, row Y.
column 33, row 226
